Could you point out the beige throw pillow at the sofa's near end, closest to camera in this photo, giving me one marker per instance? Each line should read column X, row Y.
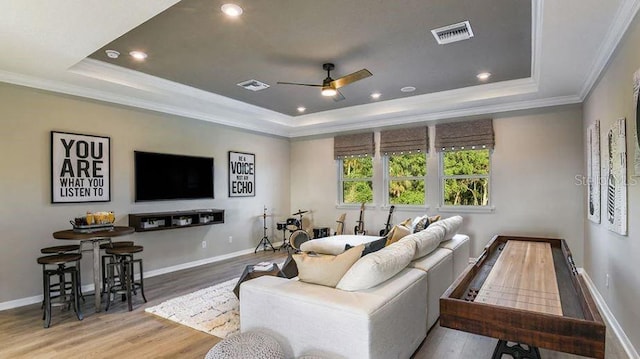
column 326, row 270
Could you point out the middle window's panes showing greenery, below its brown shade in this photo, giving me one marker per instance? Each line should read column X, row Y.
column 405, row 178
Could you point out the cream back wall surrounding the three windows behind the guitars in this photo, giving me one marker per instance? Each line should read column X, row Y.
column 536, row 160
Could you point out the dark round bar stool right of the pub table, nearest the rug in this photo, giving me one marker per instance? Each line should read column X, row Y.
column 124, row 283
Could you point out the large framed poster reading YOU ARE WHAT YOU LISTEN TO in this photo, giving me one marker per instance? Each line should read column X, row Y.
column 80, row 168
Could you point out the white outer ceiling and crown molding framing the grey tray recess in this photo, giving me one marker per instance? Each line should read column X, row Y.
column 45, row 44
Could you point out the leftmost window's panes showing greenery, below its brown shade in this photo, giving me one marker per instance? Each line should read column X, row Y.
column 356, row 180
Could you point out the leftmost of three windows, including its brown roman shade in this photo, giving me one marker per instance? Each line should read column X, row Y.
column 354, row 154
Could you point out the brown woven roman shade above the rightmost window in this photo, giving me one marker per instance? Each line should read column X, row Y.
column 466, row 135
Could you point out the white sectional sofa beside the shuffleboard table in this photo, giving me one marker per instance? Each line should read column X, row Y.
column 386, row 321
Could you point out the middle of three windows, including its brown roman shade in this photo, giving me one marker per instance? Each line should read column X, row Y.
column 404, row 161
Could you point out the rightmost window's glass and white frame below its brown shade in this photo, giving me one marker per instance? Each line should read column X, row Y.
column 465, row 177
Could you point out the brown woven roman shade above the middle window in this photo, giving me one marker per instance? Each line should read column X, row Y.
column 403, row 140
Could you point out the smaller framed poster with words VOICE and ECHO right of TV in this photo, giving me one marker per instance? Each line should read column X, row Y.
column 242, row 177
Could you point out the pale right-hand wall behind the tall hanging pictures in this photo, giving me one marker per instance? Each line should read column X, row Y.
column 607, row 252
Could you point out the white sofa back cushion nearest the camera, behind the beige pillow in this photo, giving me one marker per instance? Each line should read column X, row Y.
column 377, row 267
